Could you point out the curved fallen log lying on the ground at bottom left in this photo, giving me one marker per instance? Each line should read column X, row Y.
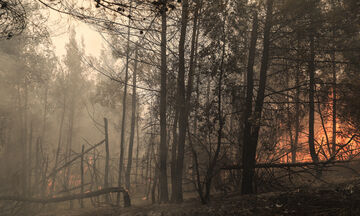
column 64, row 198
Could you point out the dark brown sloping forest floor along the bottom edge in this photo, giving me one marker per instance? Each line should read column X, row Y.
column 341, row 198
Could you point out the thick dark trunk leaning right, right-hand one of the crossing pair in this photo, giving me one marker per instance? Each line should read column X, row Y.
column 249, row 153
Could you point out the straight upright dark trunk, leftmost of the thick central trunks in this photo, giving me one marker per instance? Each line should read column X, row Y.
column 164, row 197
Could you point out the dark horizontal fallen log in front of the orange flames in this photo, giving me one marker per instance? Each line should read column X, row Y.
column 287, row 165
